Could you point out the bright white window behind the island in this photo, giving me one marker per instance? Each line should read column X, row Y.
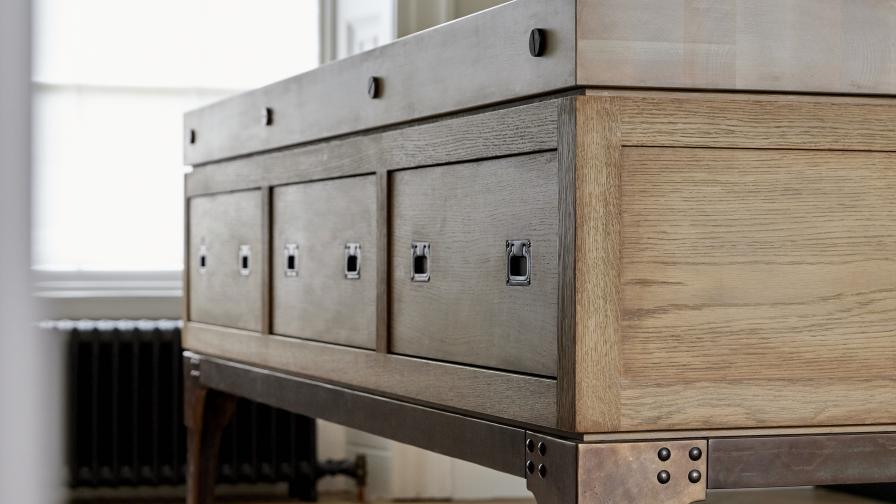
column 112, row 80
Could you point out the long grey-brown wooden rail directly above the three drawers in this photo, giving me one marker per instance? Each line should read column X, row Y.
column 515, row 130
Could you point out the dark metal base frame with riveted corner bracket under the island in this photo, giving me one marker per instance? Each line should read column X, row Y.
column 558, row 470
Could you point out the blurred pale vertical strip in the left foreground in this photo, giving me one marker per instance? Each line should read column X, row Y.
column 29, row 458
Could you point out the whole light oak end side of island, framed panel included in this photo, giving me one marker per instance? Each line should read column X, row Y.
column 757, row 282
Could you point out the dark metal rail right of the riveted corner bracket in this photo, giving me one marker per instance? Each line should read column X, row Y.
column 802, row 460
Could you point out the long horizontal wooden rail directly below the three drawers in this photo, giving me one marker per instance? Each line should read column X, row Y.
column 520, row 400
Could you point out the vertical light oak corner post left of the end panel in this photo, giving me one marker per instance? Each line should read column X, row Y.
column 598, row 264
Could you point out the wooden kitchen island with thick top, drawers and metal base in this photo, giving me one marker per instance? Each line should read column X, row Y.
column 628, row 250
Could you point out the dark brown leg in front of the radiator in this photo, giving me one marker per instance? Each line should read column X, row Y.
column 206, row 413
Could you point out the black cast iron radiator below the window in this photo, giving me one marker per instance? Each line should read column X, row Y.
column 125, row 418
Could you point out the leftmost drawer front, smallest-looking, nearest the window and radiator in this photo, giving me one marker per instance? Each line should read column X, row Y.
column 226, row 265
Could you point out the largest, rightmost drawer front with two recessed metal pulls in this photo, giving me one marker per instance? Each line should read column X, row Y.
column 455, row 301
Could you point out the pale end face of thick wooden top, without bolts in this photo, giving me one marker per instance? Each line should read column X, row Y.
column 828, row 46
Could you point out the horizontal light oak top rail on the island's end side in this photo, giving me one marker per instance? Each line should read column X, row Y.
column 757, row 123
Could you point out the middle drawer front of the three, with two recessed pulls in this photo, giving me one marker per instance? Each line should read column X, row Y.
column 324, row 261
